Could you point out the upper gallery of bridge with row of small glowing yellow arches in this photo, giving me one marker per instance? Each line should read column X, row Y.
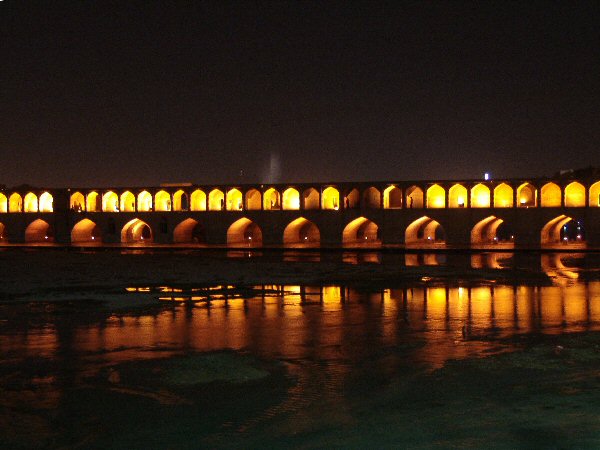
column 508, row 193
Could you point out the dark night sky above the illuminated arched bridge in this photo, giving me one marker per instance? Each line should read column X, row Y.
column 140, row 93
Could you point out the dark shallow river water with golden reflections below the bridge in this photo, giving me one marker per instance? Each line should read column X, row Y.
column 433, row 363
